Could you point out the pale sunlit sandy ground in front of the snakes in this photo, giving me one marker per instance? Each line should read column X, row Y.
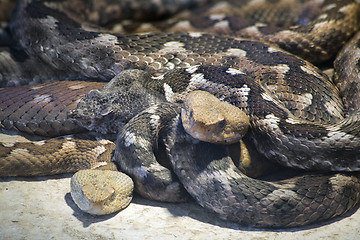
column 42, row 208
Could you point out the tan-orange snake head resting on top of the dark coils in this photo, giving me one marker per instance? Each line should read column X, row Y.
column 208, row 119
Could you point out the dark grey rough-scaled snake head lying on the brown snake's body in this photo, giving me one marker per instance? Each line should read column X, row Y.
column 108, row 109
